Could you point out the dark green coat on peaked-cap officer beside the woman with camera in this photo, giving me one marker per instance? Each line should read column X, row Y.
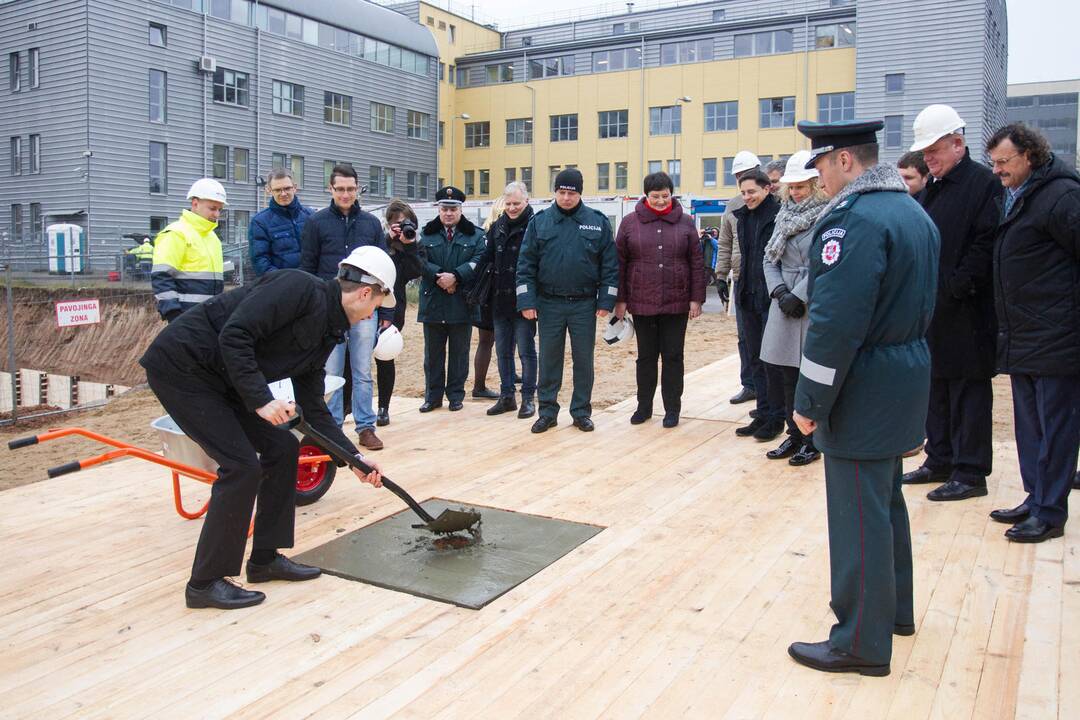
column 460, row 257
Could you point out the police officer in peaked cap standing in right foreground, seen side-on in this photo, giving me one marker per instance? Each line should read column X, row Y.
column 865, row 384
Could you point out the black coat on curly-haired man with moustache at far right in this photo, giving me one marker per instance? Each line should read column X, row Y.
column 1037, row 277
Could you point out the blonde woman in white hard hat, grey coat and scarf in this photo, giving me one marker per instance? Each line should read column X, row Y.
column 787, row 268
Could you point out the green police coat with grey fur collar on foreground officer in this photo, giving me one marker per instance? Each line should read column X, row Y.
column 866, row 371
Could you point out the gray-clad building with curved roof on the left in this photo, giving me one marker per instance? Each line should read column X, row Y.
column 115, row 107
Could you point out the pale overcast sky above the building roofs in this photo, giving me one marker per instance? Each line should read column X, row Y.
column 1044, row 35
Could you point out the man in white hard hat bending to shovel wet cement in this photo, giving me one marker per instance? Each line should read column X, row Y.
column 211, row 371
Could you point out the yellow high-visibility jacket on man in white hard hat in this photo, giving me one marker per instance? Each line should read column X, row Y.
column 187, row 265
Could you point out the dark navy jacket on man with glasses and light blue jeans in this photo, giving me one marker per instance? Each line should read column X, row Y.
column 329, row 237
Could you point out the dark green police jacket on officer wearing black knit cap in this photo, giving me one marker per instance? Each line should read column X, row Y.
column 569, row 256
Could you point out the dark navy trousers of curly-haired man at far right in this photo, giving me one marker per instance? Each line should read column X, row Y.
column 1047, row 416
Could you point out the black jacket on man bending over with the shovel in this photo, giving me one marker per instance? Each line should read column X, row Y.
column 283, row 325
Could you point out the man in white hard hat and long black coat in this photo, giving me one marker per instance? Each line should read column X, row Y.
column 962, row 200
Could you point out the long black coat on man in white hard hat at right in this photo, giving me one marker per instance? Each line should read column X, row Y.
column 964, row 207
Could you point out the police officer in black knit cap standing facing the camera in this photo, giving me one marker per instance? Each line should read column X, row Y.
column 568, row 277
